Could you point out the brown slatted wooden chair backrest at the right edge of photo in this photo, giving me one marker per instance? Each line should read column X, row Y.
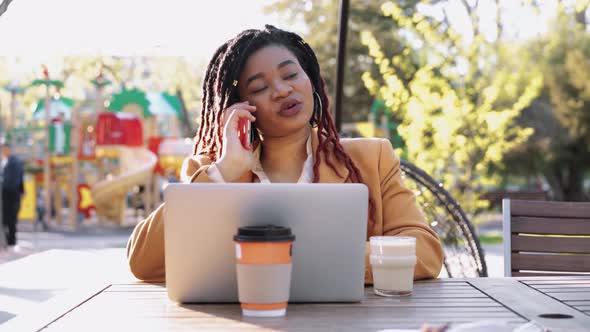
column 546, row 238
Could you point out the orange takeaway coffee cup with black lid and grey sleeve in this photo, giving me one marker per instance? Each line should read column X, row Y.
column 263, row 258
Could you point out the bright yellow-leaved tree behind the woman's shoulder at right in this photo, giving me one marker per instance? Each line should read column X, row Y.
column 457, row 98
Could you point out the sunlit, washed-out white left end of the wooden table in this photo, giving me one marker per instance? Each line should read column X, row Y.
column 29, row 284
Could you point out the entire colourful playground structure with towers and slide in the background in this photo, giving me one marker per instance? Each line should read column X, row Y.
column 91, row 159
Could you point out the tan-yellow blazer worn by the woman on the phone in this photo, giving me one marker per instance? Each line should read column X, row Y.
column 396, row 210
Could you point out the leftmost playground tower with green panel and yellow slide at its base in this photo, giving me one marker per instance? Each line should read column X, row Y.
column 31, row 141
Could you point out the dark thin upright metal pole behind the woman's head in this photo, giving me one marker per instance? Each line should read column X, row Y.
column 341, row 59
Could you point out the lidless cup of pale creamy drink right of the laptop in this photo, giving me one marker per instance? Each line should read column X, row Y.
column 393, row 259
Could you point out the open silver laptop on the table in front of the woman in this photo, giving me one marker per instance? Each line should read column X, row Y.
column 328, row 220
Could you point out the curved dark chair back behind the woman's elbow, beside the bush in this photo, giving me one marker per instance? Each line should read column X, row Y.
column 464, row 256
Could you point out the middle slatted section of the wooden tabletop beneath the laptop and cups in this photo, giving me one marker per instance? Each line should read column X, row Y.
column 135, row 304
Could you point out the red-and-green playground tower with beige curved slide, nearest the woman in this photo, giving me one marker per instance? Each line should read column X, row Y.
column 132, row 151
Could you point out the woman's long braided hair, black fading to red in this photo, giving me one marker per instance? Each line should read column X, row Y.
column 220, row 92
